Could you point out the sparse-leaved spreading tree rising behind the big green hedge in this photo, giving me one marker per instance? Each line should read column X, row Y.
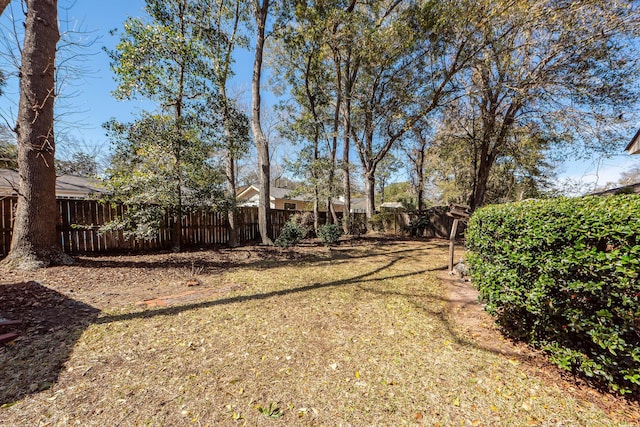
column 547, row 73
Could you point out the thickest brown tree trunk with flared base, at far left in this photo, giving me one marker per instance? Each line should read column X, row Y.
column 35, row 242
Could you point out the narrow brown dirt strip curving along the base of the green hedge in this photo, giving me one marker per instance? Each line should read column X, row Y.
column 468, row 313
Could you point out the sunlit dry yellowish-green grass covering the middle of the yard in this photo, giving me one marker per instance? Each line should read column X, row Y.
column 357, row 336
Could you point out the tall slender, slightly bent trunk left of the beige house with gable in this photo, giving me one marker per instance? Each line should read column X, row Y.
column 262, row 145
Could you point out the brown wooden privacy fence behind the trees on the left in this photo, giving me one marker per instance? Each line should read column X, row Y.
column 80, row 220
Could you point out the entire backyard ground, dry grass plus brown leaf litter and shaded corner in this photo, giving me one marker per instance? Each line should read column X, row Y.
column 367, row 333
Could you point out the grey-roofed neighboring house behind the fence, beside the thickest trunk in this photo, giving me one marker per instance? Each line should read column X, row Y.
column 67, row 186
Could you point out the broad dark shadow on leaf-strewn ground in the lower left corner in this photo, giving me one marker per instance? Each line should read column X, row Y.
column 51, row 323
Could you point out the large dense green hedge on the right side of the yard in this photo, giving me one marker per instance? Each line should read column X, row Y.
column 563, row 275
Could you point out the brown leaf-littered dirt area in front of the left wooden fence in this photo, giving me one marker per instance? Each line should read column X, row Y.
column 116, row 281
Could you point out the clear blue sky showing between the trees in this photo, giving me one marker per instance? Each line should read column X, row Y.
column 93, row 103
